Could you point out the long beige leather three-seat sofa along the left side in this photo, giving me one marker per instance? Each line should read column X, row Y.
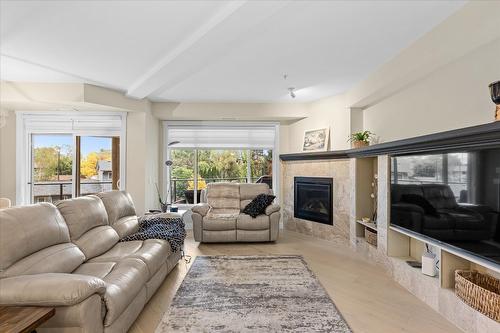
column 69, row 257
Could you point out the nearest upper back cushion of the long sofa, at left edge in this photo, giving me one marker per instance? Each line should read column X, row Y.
column 29, row 229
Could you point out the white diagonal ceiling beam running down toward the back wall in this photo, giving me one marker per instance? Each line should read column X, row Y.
column 212, row 39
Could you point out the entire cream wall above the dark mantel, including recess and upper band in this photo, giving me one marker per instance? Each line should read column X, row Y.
column 438, row 83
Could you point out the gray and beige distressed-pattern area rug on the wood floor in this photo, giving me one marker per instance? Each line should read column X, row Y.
column 251, row 294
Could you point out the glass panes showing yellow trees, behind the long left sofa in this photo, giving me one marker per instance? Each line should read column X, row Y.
column 65, row 166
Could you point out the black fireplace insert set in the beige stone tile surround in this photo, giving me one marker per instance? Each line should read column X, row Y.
column 313, row 199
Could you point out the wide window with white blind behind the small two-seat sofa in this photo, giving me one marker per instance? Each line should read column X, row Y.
column 198, row 153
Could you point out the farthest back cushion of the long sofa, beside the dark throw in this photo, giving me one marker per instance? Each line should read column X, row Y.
column 121, row 212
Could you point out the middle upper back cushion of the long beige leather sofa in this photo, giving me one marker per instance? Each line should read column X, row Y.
column 82, row 214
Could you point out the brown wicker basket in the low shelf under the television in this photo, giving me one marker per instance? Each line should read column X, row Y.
column 480, row 291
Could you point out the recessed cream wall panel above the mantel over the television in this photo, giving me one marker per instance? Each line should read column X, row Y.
column 454, row 96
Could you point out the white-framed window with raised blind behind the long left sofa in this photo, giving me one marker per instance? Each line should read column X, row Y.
column 61, row 155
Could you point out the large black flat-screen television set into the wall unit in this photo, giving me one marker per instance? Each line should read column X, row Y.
column 452, row 197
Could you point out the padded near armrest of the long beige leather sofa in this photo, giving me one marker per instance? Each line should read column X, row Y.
column 49, row 289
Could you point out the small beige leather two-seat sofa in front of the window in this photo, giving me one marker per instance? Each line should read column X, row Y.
column 220, row 219
